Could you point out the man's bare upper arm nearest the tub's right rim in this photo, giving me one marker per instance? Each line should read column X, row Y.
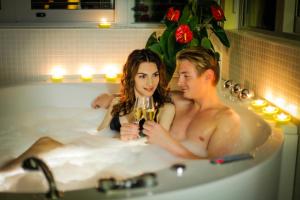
column 226, row 138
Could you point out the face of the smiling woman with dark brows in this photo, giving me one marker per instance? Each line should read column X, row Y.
column 146, row 79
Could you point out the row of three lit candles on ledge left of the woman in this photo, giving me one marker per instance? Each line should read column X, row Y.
column 86, row 75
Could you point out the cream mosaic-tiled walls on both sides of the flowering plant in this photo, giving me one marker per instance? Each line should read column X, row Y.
column 264, row 64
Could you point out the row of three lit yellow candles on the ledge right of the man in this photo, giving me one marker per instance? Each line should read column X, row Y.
column 270, row 112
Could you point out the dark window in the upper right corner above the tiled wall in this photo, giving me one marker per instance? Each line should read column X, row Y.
column 272, row 16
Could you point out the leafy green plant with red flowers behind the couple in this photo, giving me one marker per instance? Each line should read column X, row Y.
column 192, row 27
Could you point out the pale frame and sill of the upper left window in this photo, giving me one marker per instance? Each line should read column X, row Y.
column 23, row 15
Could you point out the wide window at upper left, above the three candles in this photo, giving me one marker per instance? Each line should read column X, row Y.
column 57, row 12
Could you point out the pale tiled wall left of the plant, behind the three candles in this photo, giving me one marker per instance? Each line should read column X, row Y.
column 30, row 54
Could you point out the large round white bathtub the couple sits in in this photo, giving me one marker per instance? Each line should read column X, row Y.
column 62, row 111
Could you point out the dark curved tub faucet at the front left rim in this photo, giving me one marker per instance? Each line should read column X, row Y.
column 34, row 163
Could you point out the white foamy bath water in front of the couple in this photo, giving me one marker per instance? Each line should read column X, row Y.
column 87, row 155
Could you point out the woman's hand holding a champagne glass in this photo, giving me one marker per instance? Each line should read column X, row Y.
column 129, row 131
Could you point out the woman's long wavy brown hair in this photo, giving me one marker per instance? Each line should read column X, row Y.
column 130, row 70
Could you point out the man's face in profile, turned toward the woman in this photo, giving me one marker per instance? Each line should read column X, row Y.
column 191, row 84
